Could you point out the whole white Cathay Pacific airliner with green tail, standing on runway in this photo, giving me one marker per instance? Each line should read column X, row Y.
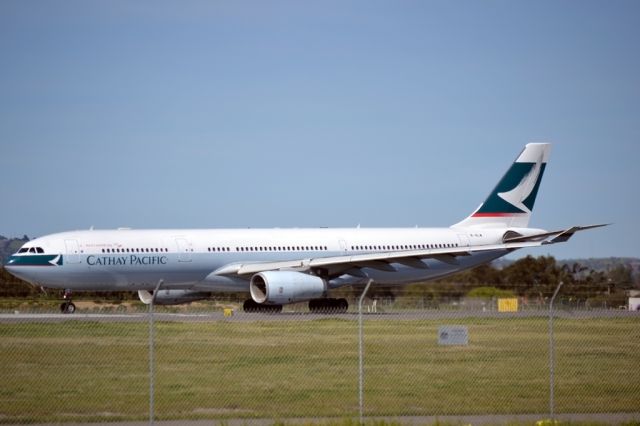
column 283, row 266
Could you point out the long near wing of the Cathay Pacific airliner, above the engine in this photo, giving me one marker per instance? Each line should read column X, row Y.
column 384, row 261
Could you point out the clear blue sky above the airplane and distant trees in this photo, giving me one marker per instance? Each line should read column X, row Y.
column 154, row 114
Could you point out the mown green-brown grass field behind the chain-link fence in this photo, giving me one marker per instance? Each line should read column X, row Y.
column 81, row 371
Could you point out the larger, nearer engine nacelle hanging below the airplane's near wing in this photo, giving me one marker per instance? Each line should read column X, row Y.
column 280, row 287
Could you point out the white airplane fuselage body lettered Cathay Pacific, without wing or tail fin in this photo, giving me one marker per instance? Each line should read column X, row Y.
column 138, row 259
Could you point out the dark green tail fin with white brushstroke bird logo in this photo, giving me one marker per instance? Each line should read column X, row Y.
column 511, row 202
